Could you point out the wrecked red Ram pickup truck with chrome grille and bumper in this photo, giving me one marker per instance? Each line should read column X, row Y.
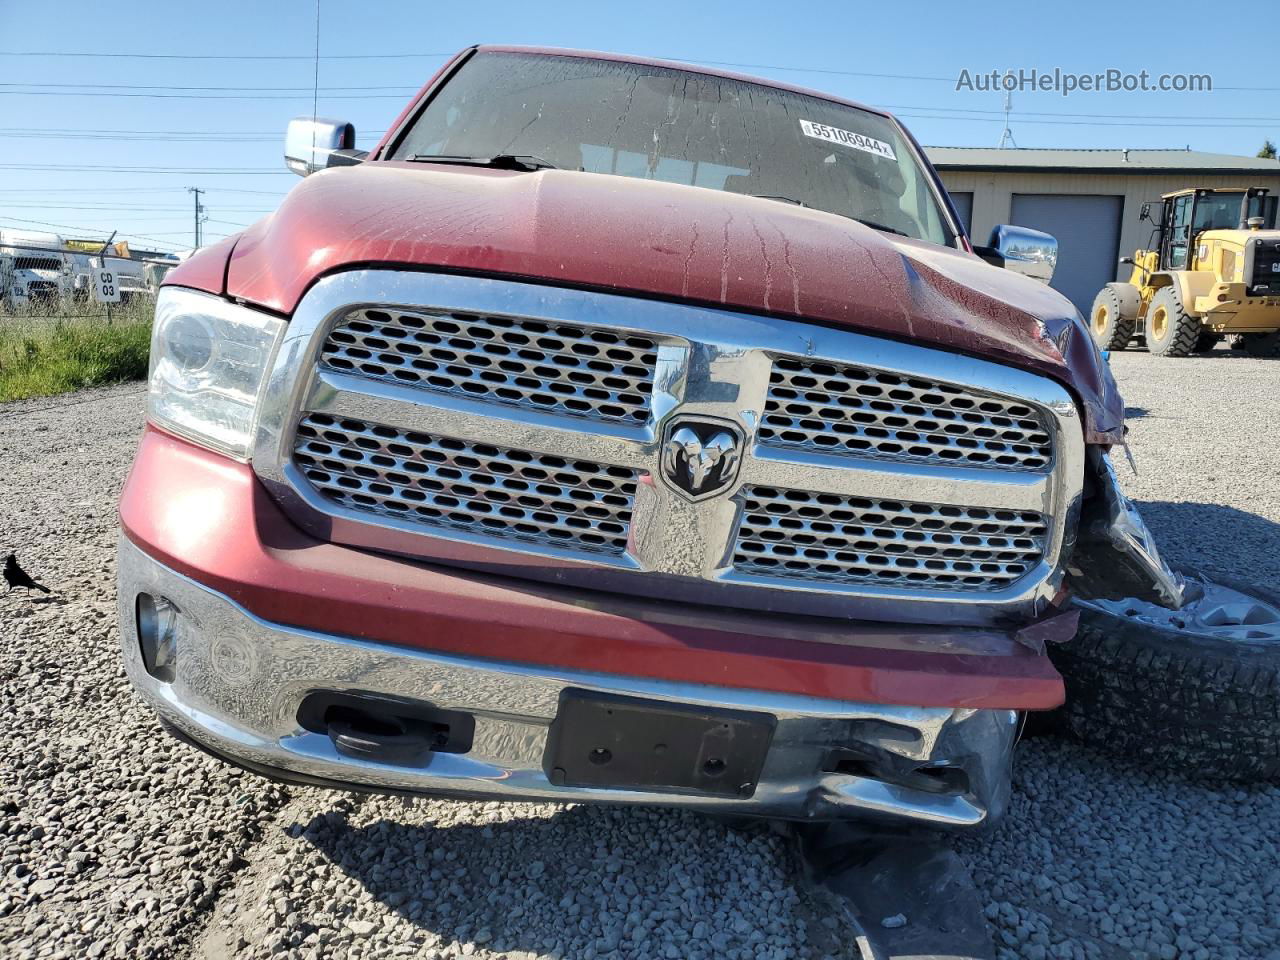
column 620, row 431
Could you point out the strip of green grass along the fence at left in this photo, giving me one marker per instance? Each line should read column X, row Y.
column 42, row 356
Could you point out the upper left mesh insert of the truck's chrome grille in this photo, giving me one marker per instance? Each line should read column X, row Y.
column 566, row 369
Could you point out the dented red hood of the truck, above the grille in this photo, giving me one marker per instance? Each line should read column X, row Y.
column 618, row 234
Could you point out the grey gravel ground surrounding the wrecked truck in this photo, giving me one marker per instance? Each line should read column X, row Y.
column 118, row 843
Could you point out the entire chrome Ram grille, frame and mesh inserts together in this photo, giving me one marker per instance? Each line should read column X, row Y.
column 848, row 511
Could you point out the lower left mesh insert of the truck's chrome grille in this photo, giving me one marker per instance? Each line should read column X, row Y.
column 442, row 482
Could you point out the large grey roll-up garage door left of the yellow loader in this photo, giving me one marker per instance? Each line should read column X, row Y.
column 1089, row 239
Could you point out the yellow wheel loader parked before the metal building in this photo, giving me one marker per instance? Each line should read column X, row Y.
column 1213, row 271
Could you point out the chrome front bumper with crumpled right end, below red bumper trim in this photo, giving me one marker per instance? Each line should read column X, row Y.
column 240, row 680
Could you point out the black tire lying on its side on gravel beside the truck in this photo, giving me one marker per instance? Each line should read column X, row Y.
column 1203, row 700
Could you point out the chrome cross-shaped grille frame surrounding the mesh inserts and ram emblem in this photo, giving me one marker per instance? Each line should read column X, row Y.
column 712, row 364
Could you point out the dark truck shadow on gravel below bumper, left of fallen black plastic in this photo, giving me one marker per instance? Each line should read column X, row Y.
column 583, row 881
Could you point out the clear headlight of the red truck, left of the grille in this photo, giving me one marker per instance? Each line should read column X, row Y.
column 209, row 363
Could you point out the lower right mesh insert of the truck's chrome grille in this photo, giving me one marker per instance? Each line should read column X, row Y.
column 807, row 536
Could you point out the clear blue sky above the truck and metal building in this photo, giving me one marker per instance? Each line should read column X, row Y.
column 189, row 94
